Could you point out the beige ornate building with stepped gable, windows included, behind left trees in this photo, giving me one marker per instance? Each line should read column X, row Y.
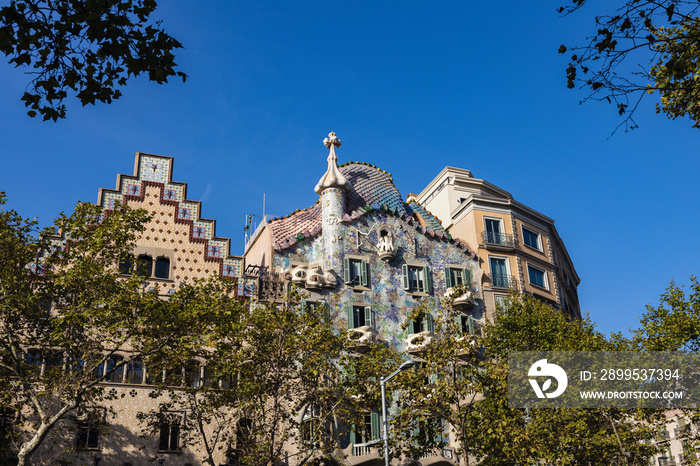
column 178, row 246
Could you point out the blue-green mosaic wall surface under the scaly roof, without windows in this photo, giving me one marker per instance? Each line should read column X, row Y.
column 385, row 293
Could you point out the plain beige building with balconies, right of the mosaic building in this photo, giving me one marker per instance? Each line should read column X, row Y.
column 518, row 247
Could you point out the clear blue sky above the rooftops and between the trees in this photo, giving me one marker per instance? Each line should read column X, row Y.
column 408, row 86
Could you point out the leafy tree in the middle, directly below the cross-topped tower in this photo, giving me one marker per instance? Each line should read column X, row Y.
column 273, row 378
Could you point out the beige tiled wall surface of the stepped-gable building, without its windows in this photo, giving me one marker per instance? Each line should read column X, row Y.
column 177, row 231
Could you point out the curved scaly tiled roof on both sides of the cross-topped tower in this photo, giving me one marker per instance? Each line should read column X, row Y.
column 371, row 189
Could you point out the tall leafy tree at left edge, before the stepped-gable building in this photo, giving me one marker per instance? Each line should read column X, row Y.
column 64, row 311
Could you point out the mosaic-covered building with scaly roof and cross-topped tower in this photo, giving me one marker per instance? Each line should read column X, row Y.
column 371, row 258
